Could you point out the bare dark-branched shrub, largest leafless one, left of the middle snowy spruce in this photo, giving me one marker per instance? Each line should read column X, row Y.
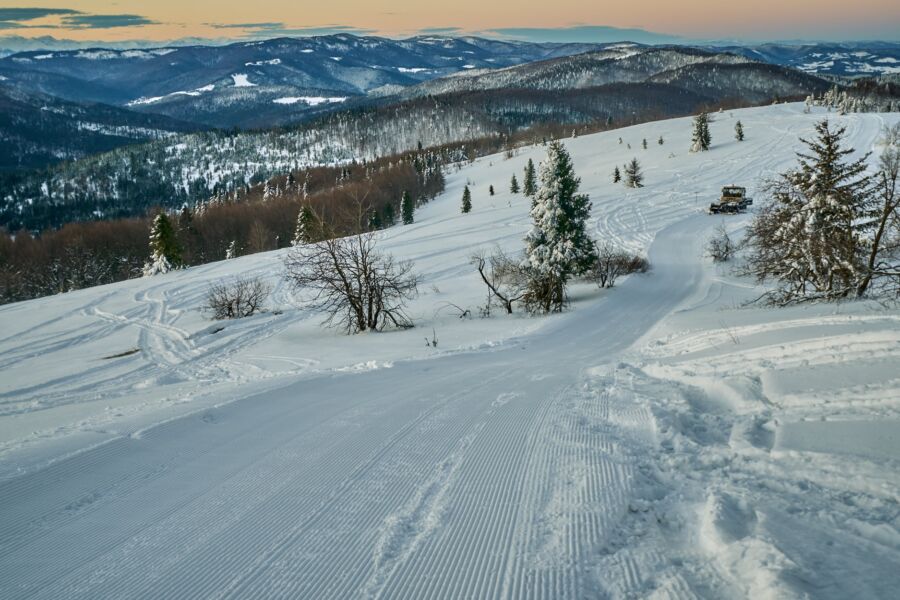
column 358, row 287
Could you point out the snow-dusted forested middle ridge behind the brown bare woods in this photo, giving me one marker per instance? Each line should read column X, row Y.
column 619, row 85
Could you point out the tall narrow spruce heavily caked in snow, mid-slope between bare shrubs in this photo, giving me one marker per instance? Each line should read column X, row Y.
column 557, row 247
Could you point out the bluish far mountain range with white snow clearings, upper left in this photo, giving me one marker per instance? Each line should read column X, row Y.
column 254, row 84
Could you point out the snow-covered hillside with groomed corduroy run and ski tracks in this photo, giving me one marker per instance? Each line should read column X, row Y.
column 659, row 439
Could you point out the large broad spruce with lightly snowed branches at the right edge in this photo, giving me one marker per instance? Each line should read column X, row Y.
column 812, row 239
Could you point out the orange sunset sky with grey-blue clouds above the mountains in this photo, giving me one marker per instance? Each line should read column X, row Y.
column 647, row 21
